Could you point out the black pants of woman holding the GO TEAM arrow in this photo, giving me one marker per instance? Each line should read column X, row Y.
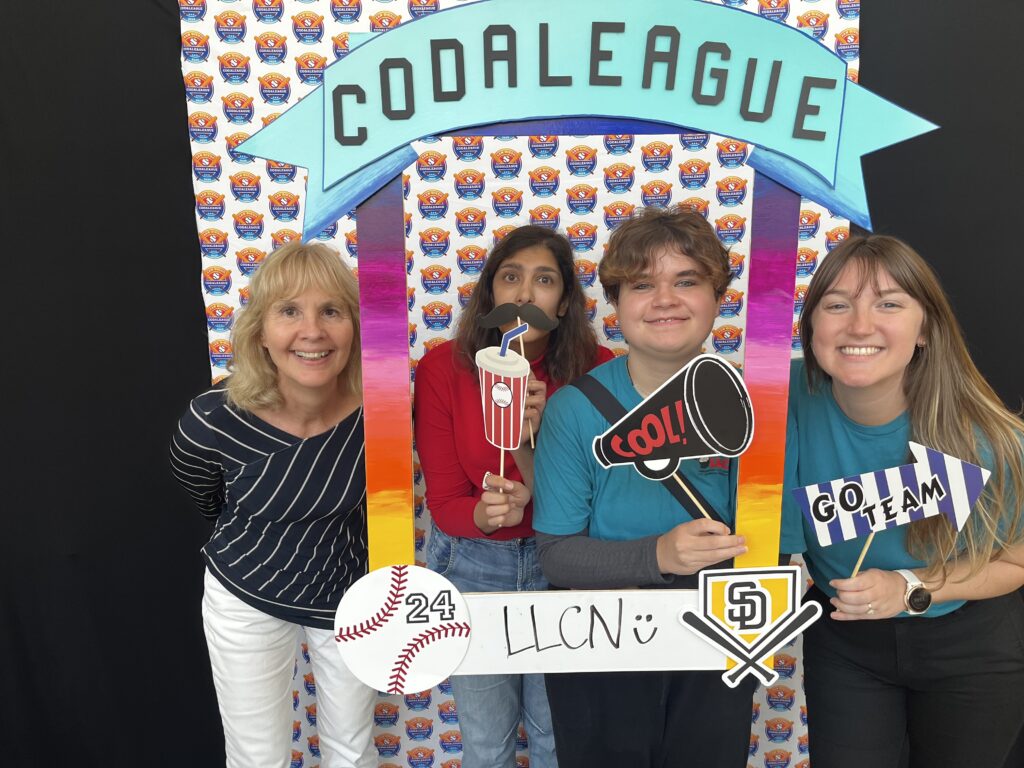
column 949, row 691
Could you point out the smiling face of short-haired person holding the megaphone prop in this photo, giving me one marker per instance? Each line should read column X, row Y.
column 667, row 314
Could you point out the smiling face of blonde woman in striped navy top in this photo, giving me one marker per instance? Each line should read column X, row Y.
column 309, row 338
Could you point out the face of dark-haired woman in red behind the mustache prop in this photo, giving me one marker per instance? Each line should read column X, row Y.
column 531, row 276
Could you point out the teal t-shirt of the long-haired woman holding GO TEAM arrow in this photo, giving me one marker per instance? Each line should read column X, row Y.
column 824, row 445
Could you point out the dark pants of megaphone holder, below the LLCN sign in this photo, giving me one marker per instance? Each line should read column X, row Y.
column 650, row 719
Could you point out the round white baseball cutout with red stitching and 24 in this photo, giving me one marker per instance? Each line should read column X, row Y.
column 403, row 629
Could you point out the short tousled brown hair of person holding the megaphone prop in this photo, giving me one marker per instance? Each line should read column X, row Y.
column 631, row 249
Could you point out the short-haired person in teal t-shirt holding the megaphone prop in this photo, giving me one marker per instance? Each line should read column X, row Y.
column 665, row 272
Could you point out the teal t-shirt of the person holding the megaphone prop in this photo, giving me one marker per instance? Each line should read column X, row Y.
column 573, row 492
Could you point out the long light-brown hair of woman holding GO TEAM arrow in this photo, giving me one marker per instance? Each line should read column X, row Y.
column 952, row 408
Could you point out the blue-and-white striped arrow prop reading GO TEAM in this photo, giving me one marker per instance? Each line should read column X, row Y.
column 852, row 507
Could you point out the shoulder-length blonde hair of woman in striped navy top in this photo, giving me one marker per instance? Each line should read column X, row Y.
column 284, row 275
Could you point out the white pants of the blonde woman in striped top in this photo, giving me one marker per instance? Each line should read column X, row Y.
column 253, row 658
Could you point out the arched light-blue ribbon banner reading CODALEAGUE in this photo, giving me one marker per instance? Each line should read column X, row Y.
column 688, row 64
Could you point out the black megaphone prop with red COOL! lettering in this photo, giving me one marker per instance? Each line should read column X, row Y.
column 703, row 411
